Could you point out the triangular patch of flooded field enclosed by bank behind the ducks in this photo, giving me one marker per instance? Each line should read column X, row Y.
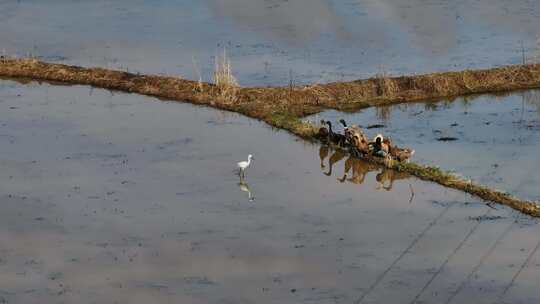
column 493, row 140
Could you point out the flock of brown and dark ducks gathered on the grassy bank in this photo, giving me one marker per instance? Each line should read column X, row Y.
column 358, row 144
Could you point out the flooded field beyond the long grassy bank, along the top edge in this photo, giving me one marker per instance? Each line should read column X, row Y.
column 271, row 40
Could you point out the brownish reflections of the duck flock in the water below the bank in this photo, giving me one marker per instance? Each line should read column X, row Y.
column 355, row 170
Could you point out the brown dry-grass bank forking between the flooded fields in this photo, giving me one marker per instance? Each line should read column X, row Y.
column 282, row 107
